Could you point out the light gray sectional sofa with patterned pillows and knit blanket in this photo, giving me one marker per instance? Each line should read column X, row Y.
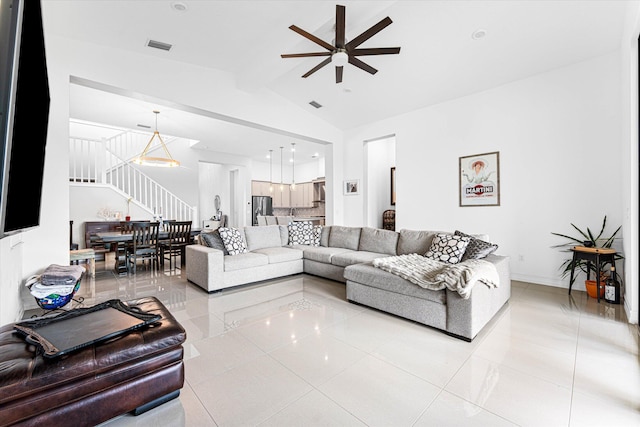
column 346, row 254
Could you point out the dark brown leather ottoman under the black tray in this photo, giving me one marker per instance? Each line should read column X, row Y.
column 130, row 373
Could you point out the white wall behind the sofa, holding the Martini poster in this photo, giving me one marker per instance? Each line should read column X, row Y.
column 558, row 134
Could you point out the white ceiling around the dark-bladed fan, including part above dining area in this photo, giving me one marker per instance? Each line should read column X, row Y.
column 439, row 60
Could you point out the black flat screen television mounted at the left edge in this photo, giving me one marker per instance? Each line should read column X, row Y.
column 24, row 114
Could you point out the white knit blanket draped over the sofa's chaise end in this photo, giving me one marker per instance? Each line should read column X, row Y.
column 436, row 275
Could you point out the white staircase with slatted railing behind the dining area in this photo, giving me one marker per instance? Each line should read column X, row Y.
column 108, row 162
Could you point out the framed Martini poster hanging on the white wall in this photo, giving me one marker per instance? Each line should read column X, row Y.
column 480, row 179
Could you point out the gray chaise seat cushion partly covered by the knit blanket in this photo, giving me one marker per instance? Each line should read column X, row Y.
column 371, row 276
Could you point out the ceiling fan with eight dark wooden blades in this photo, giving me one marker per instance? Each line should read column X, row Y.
column 343, row 53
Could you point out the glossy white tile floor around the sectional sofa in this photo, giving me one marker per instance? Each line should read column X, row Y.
column 293, row 352
